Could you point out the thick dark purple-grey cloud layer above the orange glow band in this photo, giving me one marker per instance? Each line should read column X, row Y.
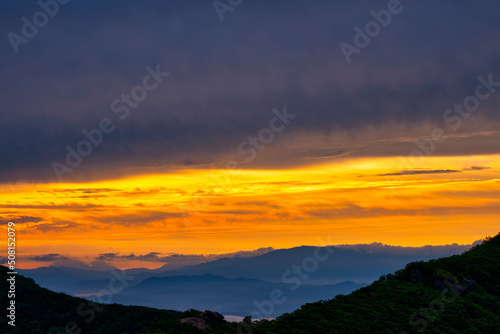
column 227, row 76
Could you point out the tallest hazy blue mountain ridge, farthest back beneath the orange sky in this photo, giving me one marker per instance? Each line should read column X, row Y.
column 358, row 263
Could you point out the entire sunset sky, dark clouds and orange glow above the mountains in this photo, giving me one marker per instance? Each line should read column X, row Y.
column 212, row 127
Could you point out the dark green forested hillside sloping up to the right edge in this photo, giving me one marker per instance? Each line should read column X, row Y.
column 458, row 294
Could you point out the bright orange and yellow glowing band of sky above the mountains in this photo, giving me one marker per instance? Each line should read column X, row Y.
column 219, row 211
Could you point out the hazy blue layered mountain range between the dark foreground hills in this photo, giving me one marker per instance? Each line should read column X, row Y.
column 231, row 285
